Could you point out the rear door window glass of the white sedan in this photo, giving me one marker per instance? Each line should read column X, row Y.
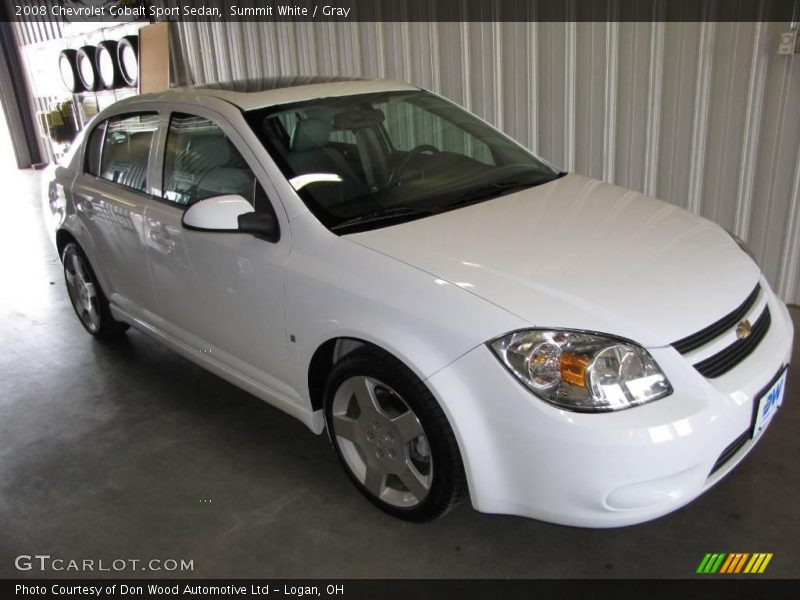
column 126, row 149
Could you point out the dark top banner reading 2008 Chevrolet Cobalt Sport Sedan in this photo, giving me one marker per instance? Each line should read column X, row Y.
column 403, row 10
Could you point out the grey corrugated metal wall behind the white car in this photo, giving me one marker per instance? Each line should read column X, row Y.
column 703, row 115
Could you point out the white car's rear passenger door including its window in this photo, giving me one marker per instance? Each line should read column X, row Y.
column 110, row 196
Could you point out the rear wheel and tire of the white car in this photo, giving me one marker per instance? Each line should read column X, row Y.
column 86, row 296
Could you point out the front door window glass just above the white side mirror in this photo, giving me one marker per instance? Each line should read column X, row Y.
column 201, row 162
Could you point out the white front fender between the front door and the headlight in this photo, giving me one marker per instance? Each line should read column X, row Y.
column 336, row 288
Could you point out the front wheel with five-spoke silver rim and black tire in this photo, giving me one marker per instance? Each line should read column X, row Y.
column 392, row 438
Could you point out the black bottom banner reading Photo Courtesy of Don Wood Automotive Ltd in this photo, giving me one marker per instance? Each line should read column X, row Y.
column 732, row 587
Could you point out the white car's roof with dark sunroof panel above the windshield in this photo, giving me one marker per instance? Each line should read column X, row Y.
column 249, row 94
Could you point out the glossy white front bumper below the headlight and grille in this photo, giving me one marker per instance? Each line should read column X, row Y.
column 525, row 457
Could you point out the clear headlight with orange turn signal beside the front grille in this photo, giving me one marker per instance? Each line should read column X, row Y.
column 580, row 371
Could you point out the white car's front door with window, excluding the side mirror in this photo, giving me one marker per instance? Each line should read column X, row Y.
column 219, row 293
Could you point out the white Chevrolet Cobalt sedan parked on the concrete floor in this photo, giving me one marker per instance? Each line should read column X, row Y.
column 460, row 316
